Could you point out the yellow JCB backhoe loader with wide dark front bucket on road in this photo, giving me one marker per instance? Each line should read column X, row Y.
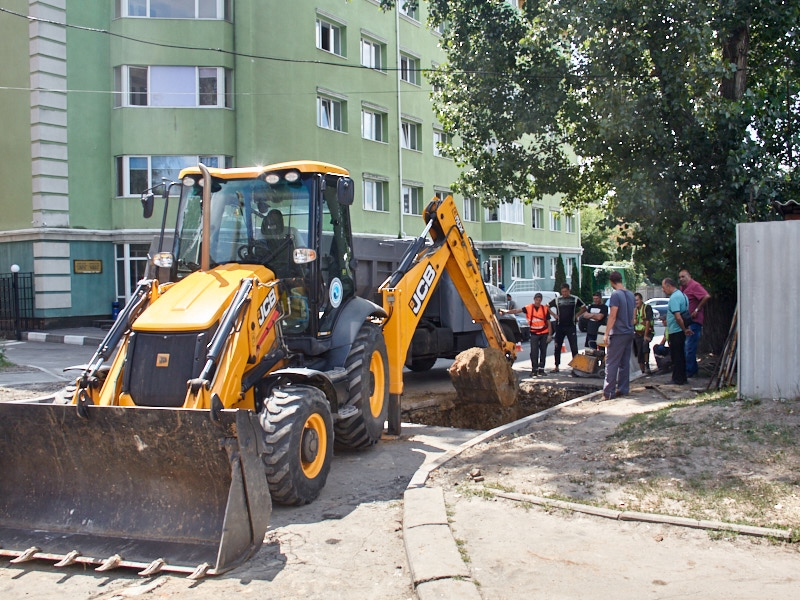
column 222, row 388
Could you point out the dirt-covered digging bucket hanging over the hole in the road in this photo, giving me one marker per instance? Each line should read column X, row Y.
column 484, row 375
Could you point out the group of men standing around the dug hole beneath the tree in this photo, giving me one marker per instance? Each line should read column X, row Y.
column 629, row 328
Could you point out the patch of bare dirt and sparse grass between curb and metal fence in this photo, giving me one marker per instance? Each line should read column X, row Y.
column 703, row 456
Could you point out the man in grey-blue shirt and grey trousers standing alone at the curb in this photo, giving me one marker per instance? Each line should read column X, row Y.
column 618, row 339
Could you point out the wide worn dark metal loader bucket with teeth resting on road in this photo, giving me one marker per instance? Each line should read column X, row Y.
column 150, row 488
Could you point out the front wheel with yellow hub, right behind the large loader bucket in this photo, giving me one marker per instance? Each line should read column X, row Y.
column 298, row 432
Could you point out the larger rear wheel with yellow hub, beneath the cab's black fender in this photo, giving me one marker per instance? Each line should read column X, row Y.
column 368, row 384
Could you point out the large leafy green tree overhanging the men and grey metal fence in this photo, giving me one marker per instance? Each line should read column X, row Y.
column 676, row 117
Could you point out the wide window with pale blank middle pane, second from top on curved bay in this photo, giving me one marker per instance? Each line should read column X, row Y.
column 173, row 87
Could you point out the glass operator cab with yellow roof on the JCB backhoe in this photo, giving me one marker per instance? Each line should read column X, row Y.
column 292, row 218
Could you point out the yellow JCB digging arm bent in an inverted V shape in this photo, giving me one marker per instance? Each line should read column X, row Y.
column 407, row 291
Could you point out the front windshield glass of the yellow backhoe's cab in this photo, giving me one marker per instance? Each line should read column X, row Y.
column 251, row 222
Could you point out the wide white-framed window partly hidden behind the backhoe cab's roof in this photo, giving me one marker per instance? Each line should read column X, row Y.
column 138, row 173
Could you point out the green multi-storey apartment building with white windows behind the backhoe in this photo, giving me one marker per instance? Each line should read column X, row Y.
column 104, row 98
